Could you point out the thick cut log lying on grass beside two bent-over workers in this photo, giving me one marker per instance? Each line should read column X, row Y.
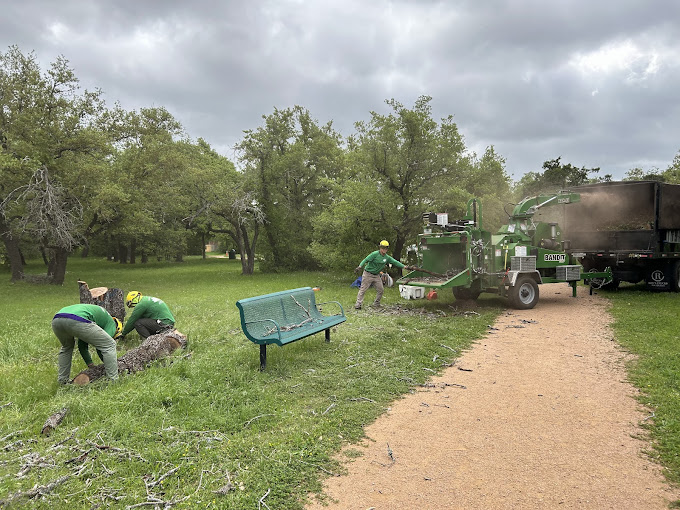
column 152, row 348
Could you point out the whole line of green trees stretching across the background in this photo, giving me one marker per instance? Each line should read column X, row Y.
column 76, row 173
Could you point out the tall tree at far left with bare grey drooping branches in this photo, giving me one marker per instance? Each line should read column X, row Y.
column 48, row 129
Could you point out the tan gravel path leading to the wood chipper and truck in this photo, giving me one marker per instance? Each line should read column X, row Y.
column 546, row 420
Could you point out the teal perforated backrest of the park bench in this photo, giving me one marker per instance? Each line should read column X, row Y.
column 284, row 307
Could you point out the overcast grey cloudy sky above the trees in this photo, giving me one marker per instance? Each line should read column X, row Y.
column 593, row 81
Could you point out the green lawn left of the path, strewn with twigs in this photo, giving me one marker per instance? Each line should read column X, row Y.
column 207, row 428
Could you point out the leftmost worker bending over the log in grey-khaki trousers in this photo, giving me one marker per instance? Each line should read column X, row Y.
column 91, row 325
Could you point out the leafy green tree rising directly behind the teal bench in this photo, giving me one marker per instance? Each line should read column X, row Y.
column 290, row 164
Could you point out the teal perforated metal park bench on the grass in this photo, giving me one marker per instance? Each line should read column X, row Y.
column 284, row 317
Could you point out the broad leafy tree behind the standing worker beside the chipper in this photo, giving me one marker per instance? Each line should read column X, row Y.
column 399, row 165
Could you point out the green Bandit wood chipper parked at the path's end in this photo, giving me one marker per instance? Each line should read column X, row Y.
column 523, row 254
